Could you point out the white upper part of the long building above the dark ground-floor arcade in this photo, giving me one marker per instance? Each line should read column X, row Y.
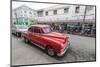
column 66, row 14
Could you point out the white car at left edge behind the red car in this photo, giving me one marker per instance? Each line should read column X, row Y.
column 18, row 29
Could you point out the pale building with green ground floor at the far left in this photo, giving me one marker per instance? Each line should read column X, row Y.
column 23, row 15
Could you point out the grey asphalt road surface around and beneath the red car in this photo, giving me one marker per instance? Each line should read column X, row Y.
column 82, row 49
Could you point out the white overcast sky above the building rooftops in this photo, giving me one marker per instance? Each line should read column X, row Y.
column 34, row 6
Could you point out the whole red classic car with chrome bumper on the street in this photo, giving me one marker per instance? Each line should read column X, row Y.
column 53, row 43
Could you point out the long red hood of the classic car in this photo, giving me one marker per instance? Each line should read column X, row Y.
column 54, row 36
